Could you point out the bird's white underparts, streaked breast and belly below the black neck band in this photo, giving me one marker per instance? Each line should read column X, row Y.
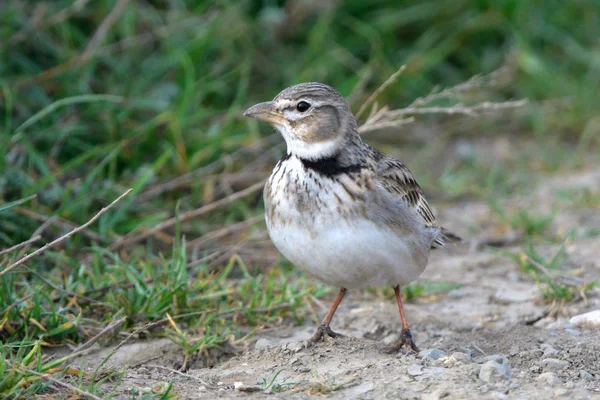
column 322, row 238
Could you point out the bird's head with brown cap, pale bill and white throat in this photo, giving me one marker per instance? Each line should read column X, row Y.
column 313, row 118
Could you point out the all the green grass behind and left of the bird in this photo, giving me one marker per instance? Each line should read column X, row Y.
column 155, row 105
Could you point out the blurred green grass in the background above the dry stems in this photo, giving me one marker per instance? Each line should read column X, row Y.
column 184, row 71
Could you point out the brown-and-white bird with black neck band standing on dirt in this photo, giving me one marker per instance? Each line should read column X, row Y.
column 340, row 210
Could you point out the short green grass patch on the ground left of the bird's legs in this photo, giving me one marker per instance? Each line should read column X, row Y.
column 142, row 292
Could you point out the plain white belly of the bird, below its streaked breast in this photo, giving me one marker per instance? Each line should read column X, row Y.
column 350, row 254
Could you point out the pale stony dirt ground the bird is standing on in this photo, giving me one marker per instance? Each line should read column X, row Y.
column 492, row 337
